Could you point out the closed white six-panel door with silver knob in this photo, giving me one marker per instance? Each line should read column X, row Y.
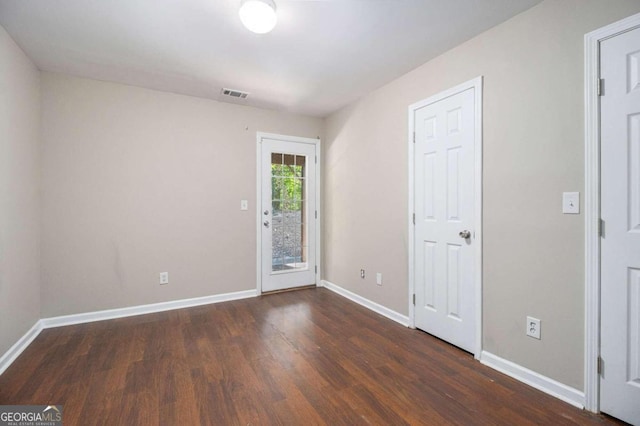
column 444, row 198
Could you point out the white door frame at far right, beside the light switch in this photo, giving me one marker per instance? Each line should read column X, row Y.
column 592, row 202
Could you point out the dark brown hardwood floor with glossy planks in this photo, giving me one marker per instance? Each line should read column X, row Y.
column 301, row 358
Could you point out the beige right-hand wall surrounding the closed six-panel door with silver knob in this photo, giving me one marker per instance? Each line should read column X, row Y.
column 533, row 151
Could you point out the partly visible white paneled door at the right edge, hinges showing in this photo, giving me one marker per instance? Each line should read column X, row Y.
column 620, row 210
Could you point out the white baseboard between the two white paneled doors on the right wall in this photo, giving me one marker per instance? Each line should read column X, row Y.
column 545, row 384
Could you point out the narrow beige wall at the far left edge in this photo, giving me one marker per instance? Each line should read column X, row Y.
column 19, row 193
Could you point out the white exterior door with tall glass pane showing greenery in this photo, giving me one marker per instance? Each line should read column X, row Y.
column 288, row 212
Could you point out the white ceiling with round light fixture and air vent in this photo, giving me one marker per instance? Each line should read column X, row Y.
column 321, row 56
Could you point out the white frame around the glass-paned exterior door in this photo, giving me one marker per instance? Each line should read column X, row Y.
column 297, row 139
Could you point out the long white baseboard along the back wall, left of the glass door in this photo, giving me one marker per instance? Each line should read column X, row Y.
column 144, row 309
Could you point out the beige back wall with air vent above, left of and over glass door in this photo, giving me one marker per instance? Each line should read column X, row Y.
column 136, row 182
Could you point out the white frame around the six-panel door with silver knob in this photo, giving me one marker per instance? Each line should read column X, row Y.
column 475, row 84
